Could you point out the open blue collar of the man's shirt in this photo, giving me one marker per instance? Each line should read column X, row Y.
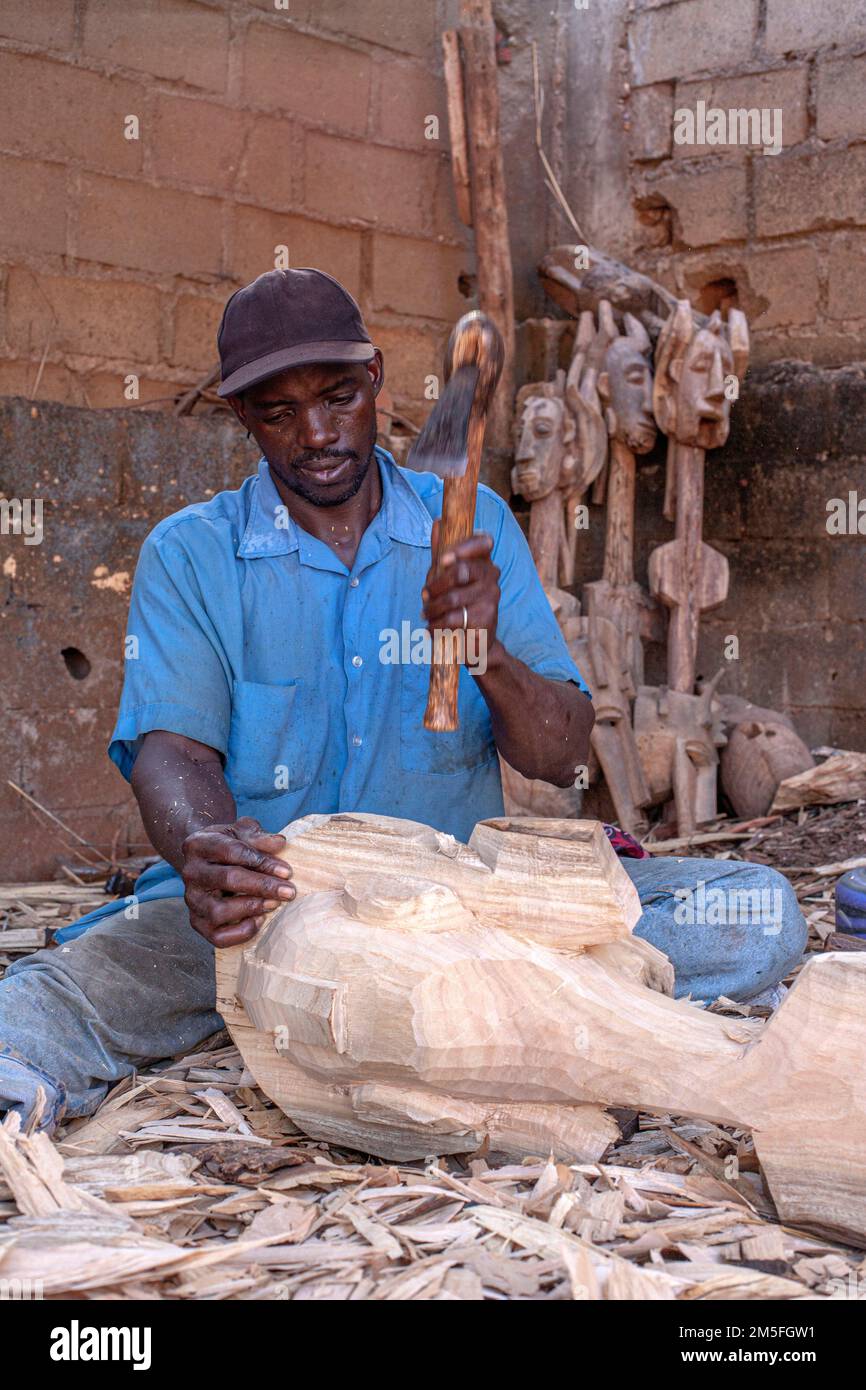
column 270, row 530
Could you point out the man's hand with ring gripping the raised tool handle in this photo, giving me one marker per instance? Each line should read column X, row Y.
column 464, row 590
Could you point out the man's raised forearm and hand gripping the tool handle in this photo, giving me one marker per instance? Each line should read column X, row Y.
column 541, row 726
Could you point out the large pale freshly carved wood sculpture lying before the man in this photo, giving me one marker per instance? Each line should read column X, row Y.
column 426, row 997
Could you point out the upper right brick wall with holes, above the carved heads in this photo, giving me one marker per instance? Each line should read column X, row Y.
column 789, row 230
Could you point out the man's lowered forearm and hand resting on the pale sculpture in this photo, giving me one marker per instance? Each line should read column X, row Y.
column 230, row 874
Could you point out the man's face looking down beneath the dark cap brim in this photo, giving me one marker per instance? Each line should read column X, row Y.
column 316, row 427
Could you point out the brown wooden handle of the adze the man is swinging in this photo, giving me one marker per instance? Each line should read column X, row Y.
column 457, row 525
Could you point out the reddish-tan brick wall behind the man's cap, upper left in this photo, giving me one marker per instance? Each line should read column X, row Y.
column 259, row 127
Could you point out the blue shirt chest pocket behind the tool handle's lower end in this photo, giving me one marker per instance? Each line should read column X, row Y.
column 423, row 751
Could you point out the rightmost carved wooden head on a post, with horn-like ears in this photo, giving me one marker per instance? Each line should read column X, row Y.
column 693, row 368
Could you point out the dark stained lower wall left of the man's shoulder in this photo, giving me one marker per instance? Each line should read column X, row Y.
column 104, row 477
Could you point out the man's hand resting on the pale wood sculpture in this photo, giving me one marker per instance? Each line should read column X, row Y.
column 233, row 881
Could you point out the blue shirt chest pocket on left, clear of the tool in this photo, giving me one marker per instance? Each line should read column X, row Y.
column 268, row 751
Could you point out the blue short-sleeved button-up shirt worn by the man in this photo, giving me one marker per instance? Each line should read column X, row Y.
column 251, row 636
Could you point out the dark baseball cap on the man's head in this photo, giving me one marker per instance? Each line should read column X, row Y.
column 288, row 319
